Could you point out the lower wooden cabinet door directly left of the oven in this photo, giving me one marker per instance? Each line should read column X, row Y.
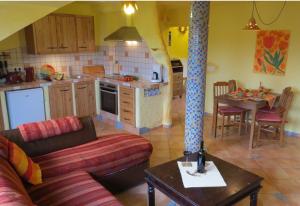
column 85, row 98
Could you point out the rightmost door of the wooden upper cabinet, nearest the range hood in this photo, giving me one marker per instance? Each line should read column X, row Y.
column 85, row 33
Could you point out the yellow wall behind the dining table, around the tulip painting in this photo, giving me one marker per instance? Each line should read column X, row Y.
column 232, row 50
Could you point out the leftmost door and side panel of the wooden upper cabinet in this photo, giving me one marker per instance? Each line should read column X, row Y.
column 41, row 36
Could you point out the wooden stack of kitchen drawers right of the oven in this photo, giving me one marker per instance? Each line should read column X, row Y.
column 127, row 105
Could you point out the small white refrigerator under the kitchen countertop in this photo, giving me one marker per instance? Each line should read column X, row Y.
column 26, row 105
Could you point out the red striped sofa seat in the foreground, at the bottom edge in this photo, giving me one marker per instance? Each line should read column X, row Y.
column 74, row 189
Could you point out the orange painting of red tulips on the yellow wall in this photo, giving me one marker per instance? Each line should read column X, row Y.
column 271, row 52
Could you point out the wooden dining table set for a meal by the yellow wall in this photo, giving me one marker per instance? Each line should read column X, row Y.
column 251, row 104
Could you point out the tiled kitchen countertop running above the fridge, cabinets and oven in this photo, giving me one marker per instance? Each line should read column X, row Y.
column 41, row 83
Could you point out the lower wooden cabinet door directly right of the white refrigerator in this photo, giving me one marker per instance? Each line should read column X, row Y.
column 60, row 99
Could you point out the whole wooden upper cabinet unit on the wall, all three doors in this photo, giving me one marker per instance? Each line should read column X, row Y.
column 61, row 33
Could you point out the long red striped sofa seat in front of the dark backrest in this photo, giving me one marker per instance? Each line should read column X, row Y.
column 103, row 156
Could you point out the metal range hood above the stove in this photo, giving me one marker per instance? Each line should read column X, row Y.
column 125, row 33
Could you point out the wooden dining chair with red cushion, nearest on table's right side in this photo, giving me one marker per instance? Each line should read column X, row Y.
column 277, row 120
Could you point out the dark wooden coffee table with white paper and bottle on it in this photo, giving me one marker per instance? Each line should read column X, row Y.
column 167, row 179
